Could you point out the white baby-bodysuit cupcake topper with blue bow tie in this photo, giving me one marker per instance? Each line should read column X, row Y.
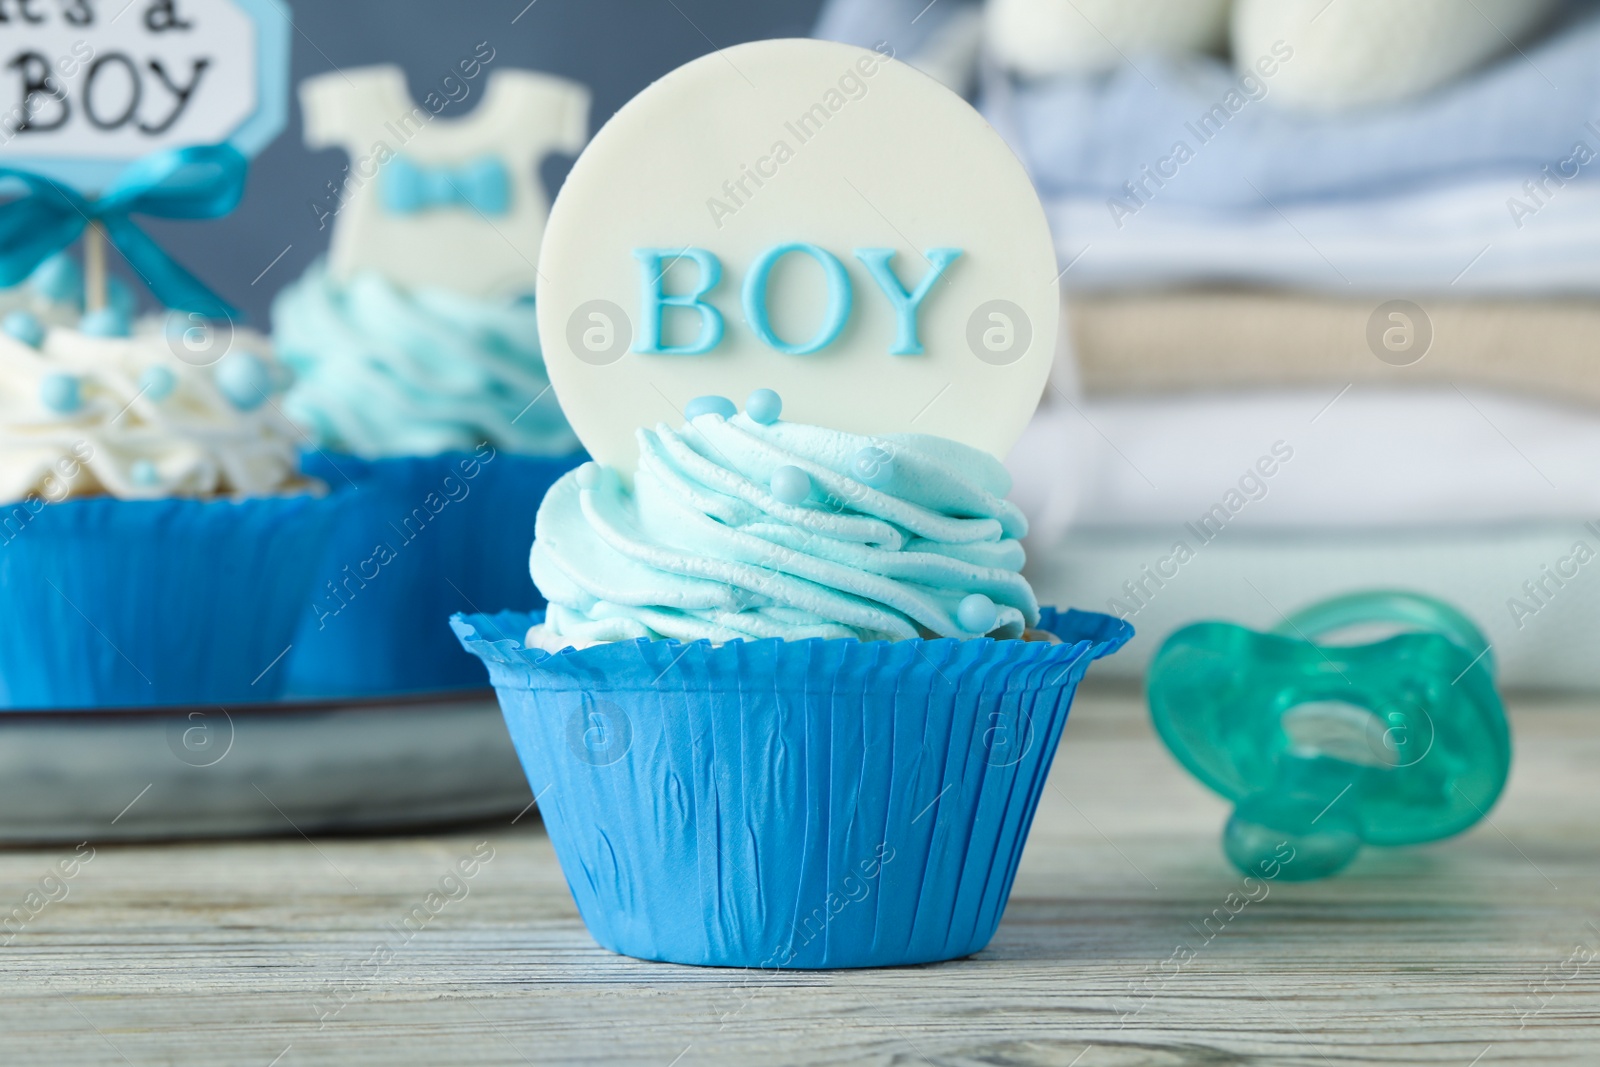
column 434, row 202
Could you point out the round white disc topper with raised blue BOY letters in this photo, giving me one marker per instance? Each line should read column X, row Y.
column 804, row 217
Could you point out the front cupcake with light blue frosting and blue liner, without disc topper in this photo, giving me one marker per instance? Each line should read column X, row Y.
column 793, row 703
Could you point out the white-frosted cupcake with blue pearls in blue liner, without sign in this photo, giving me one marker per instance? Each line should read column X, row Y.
column 158, row 540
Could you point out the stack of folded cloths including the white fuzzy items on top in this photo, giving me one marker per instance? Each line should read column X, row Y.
column 1334, row 303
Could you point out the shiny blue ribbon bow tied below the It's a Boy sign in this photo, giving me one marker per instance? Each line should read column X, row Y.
column 193, row 183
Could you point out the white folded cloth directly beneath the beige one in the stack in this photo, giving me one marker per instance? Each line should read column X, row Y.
column 1305, row 462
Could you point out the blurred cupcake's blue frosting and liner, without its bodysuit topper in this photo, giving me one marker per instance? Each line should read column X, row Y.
column 438, row 407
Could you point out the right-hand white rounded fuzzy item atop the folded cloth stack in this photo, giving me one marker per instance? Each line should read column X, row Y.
column 1356, row 54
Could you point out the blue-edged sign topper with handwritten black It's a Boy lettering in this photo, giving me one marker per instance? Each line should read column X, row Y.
column 90, row 86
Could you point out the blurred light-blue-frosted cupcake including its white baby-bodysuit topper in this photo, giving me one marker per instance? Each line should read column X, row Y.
column 418, row 369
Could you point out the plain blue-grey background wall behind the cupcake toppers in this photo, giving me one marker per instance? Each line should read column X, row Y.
column 617, row 47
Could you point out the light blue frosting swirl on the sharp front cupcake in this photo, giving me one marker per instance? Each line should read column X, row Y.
column 703, row 546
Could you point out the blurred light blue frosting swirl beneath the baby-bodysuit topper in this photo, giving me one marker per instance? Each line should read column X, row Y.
column 385, row 372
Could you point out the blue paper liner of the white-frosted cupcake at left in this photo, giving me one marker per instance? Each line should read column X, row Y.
column 132, row 604
